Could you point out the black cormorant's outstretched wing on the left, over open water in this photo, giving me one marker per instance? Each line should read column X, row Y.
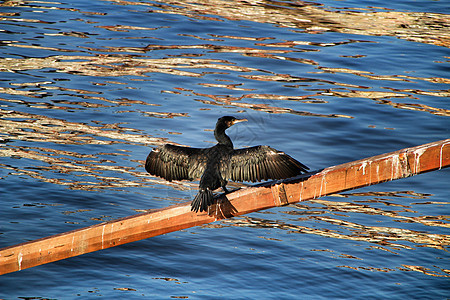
column 176, row 163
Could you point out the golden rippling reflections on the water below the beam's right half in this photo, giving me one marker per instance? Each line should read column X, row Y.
column 329, row 221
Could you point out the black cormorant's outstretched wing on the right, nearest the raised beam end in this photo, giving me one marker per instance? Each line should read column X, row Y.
column 260, row 163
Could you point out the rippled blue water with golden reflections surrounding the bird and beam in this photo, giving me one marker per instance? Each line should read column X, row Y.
column 88, row 88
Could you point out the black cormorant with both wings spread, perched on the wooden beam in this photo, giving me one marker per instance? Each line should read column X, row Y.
column 217, row 164
